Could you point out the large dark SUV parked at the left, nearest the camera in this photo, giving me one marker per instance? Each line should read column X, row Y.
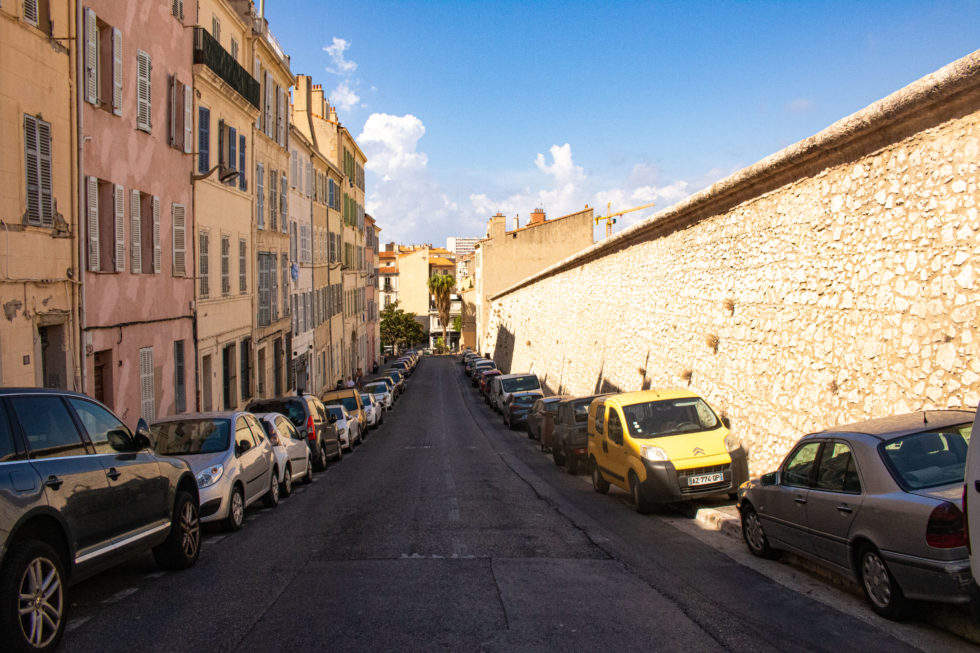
column 78, row 493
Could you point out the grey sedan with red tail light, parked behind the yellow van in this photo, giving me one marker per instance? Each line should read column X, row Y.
column 877, row 501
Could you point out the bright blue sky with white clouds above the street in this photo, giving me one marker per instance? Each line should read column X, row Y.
column 467, row 108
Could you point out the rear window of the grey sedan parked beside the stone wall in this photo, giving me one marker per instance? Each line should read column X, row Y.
column 930, row 458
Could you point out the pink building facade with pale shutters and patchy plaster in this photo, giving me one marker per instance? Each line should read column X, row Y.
column 137, row 158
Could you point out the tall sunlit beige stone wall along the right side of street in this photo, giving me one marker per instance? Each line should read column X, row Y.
column 831, row 282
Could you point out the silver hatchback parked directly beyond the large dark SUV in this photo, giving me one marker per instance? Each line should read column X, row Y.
column 230, row 456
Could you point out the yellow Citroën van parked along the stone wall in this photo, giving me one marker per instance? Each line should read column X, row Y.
column 662, row 446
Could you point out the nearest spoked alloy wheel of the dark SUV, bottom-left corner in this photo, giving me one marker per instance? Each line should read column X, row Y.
column 33, row 609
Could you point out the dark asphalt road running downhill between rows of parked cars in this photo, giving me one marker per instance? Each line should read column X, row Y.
column 445, row 531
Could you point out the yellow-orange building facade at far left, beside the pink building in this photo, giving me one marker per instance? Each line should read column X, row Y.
column 39, row 331
